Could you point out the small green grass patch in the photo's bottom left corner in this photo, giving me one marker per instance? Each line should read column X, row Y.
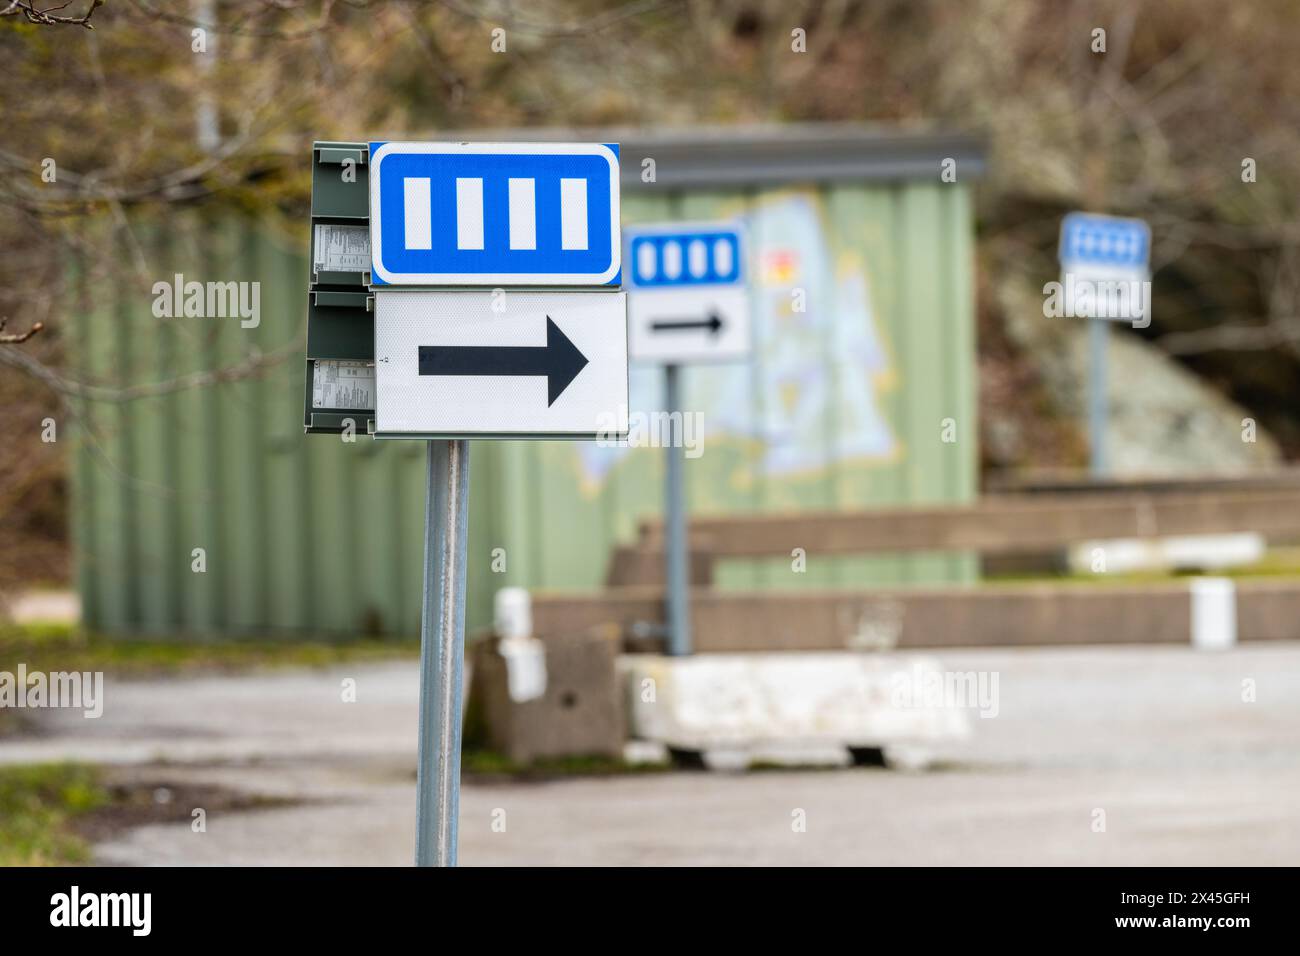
column 38, row 808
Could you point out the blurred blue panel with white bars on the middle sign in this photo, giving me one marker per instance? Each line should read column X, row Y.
column 669, row 259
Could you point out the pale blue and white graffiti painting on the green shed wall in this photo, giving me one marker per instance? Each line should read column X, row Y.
column 812, row 396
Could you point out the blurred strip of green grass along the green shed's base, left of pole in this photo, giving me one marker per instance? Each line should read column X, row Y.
column 64, row 648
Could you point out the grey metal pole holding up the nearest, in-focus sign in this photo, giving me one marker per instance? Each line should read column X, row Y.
column 443, row 628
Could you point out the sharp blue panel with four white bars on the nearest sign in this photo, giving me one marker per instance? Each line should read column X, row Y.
column 495, row 214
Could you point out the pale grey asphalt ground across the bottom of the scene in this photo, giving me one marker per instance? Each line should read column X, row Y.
column 1124, row 756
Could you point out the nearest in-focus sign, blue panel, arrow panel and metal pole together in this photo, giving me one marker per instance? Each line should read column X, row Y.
column 440, row 248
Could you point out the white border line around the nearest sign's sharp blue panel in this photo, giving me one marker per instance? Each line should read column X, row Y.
column 492, row 280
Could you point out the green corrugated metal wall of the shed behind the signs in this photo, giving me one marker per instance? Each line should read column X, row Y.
column 309, row 534
